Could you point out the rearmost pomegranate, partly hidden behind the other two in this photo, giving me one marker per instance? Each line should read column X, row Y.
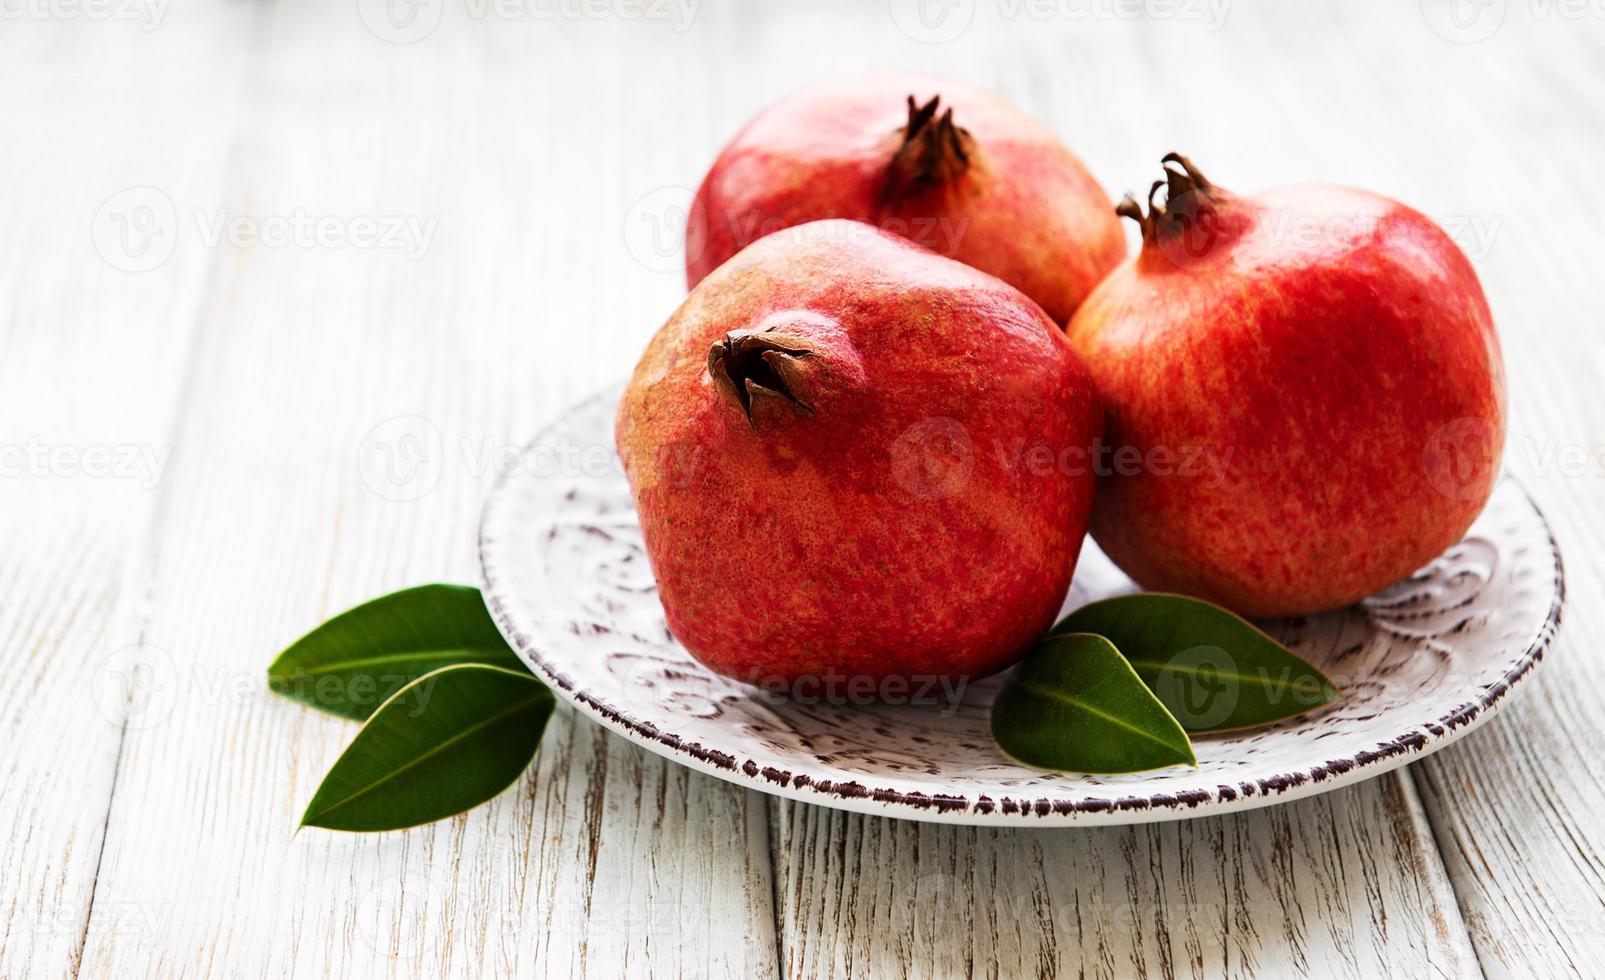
column 1020, row 206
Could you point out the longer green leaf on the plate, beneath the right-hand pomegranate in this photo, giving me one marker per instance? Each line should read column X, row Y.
column 1211, row 668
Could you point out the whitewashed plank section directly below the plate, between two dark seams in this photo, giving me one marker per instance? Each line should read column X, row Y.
column 1346, row 885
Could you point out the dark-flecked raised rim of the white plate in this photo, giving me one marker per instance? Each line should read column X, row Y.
column 863, row 796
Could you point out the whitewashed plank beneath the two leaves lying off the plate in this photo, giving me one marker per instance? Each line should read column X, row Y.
column 604, row 861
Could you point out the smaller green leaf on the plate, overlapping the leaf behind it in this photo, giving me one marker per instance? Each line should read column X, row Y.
column 1076, row 705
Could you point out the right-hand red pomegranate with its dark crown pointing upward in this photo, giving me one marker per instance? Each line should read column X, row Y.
column 1307, row 391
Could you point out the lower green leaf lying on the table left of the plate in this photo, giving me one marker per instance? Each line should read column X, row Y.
column 445, row 743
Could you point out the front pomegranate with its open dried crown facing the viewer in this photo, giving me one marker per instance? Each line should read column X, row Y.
column 888, row 517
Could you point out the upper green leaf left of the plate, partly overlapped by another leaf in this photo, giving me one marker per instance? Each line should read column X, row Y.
column 351, row 665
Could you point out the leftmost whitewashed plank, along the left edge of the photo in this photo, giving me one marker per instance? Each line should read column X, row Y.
column 94, row 344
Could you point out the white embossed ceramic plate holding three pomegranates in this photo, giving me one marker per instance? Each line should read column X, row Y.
column 1423, row 665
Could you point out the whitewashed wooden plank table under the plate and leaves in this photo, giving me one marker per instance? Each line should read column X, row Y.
column 245, row 243
